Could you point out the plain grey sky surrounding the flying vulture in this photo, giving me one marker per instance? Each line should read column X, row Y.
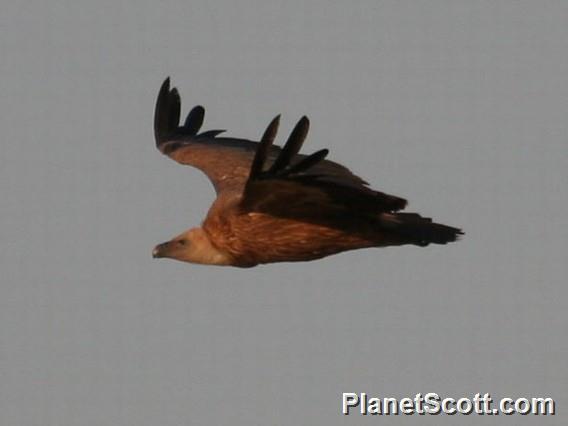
column 459, row 106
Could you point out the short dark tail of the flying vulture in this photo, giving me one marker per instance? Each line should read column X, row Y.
column 418, row 230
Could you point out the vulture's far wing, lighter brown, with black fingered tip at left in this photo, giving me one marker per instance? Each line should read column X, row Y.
column 225, row 161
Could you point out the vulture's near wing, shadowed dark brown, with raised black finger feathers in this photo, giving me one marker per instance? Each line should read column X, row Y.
column 294, row 186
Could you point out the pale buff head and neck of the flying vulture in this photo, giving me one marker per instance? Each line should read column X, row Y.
column 193, row 246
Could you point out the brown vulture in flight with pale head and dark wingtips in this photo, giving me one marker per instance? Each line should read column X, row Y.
column 274, row 204
